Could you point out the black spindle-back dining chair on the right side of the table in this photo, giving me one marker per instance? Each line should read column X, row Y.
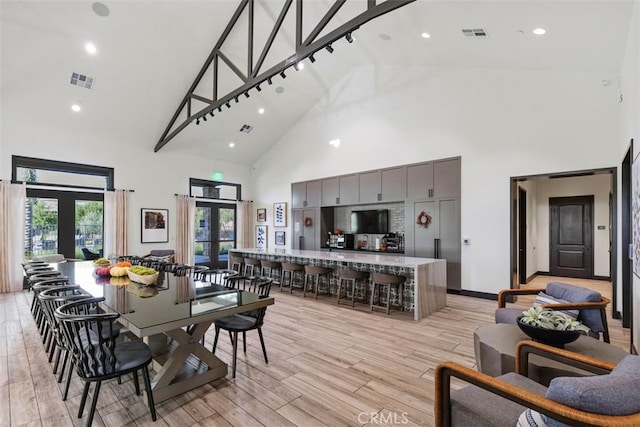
column 247, row 321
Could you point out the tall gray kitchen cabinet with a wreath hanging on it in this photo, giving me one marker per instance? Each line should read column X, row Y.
column 440, row 238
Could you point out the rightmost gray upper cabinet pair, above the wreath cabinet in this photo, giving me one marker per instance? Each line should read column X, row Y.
column 436, row 179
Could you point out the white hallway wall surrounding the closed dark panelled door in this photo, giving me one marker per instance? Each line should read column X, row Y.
column 597, row 185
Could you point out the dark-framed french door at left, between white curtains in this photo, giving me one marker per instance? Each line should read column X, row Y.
column 63, row 222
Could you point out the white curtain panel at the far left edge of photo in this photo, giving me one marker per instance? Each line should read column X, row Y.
column 13, row 199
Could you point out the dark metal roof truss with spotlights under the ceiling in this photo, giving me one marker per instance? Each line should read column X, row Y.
column 253, row 76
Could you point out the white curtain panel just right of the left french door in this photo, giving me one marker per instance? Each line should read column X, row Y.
column 116, row 223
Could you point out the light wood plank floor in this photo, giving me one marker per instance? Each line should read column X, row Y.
column 328, row 365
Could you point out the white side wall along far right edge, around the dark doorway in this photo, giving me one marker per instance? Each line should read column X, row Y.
column 630, row 128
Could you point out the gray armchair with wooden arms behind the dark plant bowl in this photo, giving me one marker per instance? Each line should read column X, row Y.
column 591, row 305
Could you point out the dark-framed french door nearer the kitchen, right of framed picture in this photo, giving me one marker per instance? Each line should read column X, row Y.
column 215, row 233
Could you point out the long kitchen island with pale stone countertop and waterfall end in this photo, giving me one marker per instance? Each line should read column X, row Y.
column 426, row 278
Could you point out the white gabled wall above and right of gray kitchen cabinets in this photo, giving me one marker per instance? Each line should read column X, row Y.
column 502, row 123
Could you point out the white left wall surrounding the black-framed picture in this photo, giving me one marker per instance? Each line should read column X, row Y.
column 155, row 177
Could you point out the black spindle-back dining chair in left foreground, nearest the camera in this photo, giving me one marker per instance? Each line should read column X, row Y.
column 96, row 354
